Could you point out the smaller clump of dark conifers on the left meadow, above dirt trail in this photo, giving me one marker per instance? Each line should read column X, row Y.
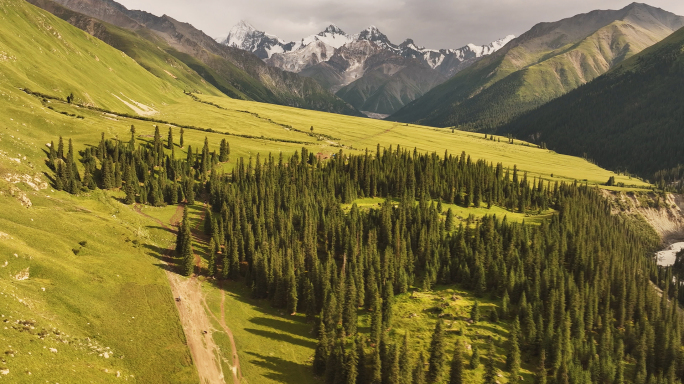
column 147, row 173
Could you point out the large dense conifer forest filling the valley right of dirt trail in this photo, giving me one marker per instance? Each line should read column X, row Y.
column 576, row 290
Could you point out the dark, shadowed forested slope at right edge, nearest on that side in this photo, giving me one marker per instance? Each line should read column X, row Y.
column 630, row 119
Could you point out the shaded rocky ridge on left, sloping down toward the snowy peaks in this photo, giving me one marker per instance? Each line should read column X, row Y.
column 233, row 71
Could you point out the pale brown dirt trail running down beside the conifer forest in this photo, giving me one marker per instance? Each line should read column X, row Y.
column 196, row 325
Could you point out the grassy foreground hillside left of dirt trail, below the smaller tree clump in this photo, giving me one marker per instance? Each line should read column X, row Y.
column 92, row 290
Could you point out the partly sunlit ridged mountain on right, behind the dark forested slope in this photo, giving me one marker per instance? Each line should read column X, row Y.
column 541, row 65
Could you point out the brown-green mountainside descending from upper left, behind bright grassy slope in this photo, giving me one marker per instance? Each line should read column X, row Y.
column 154, row 40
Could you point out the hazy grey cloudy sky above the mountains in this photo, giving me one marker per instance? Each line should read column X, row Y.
column 431, row 23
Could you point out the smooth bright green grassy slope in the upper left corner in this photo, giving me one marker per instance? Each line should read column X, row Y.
column 95, row 73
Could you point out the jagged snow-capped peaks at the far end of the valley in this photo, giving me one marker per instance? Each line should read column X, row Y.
column 366, row 69
